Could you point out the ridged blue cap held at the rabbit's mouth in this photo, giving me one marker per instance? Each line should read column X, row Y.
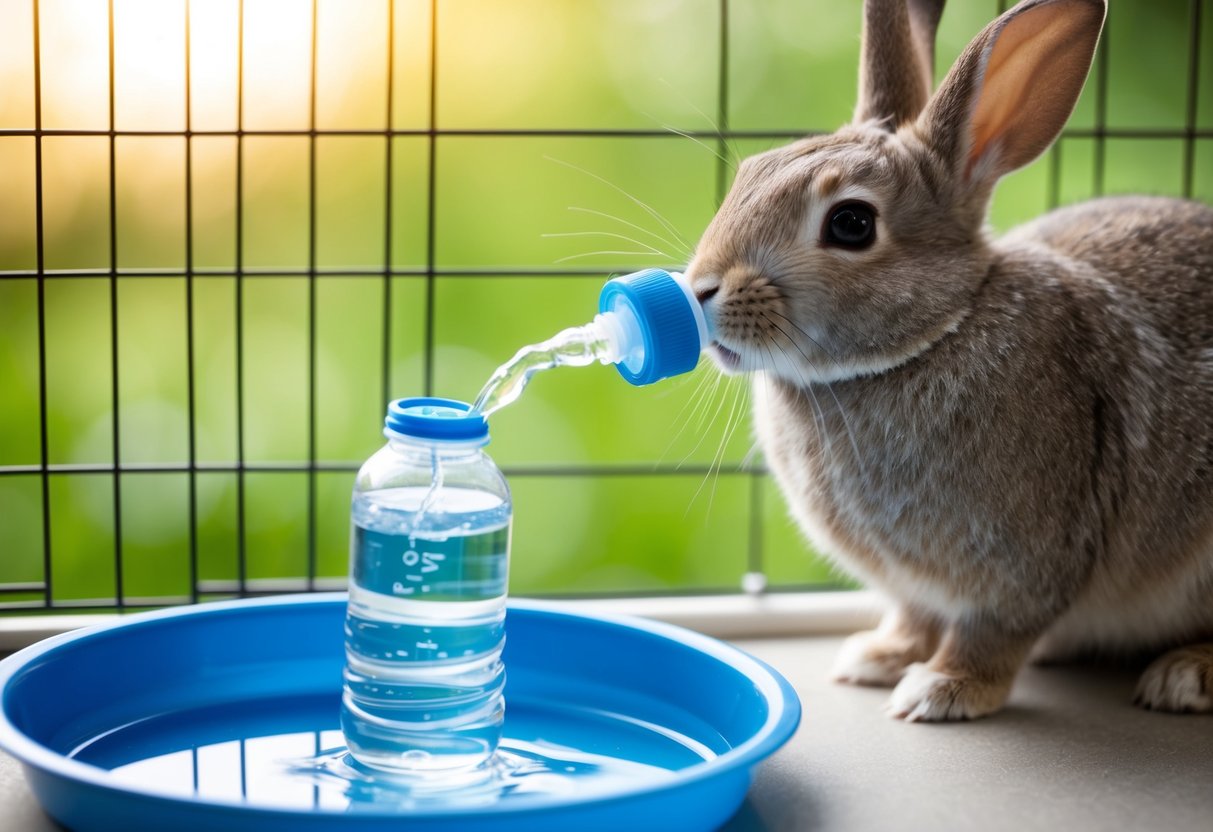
column 667, row 320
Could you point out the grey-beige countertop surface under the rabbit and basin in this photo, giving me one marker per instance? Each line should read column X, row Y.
column 1069, row 753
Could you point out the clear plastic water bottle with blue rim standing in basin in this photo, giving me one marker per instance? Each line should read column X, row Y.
column 425, row 625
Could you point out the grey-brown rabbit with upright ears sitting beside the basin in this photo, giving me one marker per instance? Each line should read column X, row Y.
column 1011, row 438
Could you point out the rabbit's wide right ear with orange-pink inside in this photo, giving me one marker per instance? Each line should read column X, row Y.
column 1012, row 90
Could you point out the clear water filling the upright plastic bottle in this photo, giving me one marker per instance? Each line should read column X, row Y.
column 425, row 631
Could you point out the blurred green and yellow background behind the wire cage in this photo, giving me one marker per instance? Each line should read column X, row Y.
column 618, row 489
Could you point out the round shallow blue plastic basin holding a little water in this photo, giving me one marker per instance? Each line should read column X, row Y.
column 179, row 685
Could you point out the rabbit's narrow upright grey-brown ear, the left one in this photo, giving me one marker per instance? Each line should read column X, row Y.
column 898, row 60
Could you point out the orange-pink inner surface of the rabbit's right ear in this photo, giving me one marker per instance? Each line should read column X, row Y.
column 1032, row 82
